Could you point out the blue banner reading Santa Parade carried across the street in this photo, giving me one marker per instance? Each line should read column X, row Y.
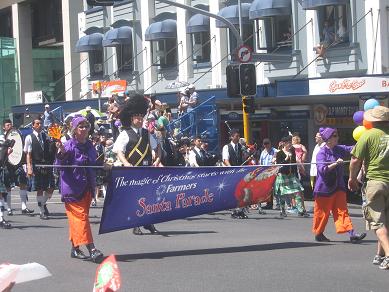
column 138, row 196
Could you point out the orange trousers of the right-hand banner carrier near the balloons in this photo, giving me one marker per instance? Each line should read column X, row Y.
column 337, row 204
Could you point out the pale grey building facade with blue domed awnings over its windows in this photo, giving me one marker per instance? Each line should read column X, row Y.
column 151, row 44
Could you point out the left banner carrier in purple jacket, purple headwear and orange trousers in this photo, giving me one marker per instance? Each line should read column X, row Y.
column 77, row 187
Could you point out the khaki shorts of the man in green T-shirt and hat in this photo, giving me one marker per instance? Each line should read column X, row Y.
column 376, row 207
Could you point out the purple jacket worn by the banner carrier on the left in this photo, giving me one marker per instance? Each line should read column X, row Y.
column 74, row 182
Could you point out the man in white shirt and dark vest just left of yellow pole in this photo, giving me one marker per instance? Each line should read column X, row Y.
column 233, row 156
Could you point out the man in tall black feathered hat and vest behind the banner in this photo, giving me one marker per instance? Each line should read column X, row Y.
column 135, row 146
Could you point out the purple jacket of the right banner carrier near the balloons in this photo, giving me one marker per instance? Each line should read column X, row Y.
column 329, row 181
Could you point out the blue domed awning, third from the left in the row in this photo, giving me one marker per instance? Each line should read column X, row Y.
column 165, row 29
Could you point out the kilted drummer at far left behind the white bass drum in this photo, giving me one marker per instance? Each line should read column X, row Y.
column 15, row 175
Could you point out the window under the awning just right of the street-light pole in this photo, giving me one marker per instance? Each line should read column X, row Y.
column 275, row 34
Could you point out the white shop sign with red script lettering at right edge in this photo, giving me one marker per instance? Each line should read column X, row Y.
column 352, row 85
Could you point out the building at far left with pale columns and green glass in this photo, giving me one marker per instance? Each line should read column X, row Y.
column 42, row 34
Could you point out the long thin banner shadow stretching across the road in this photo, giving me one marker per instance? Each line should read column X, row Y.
column 222, row 250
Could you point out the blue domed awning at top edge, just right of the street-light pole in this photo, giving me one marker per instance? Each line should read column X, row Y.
column 269, row 8
